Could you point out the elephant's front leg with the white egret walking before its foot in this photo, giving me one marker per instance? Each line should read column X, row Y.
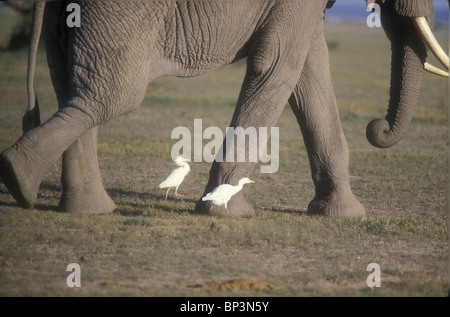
column 266, row 89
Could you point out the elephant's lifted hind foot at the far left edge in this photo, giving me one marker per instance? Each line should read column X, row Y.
column 17, row 175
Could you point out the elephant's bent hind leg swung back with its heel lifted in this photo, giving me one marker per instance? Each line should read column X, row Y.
column 23, row 165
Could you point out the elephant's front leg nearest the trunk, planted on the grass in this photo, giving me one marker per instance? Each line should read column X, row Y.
column 314, row 104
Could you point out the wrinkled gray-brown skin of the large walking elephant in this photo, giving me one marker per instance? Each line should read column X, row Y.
column 102, row 70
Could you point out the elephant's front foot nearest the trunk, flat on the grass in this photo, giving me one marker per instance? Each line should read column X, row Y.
column 337, row 205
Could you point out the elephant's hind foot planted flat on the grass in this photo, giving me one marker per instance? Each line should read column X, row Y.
column 91, row 200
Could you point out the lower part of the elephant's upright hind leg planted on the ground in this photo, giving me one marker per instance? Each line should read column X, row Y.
column 83, row 190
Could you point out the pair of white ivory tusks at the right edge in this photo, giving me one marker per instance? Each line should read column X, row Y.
column 433, row 45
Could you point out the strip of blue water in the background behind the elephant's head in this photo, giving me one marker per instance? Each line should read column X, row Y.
column 355, row 11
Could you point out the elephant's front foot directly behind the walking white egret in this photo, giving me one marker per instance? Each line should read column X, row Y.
column 237, row 207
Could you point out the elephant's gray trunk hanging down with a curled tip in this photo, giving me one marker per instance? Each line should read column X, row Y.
column 408, row 58
